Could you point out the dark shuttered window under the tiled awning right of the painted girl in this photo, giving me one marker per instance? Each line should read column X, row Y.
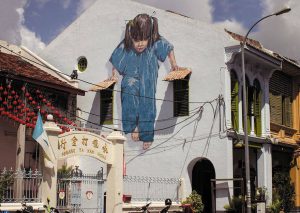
column 181, row 97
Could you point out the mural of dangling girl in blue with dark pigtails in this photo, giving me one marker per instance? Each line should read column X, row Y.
column 136, row 59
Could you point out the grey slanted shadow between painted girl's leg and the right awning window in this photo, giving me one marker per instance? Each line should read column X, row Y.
column 166, row 122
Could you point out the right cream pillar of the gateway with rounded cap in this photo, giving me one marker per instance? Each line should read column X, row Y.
column 114, row 192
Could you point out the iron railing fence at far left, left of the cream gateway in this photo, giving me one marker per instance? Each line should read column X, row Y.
column 20, row 186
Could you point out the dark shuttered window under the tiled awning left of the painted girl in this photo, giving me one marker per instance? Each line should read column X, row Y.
column 106, row 105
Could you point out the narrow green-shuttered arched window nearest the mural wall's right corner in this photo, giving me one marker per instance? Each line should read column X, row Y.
column 234, row 100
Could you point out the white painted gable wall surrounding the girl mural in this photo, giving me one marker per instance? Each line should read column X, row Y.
column 198, row 45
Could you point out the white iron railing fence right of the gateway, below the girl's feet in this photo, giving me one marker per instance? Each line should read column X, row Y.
column 142, row 188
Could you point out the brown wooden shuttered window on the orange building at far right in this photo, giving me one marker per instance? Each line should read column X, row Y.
column 281, row 99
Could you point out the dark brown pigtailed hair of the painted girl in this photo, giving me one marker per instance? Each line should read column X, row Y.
column 142, row 27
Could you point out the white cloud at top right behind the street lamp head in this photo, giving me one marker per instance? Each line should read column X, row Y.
column 281, row 33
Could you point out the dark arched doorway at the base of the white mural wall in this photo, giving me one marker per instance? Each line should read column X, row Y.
column 203, row 172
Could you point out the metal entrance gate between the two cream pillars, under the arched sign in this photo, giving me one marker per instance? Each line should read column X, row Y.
column 78, row 192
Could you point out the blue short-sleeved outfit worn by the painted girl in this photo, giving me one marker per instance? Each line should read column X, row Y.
column 138, row 87
